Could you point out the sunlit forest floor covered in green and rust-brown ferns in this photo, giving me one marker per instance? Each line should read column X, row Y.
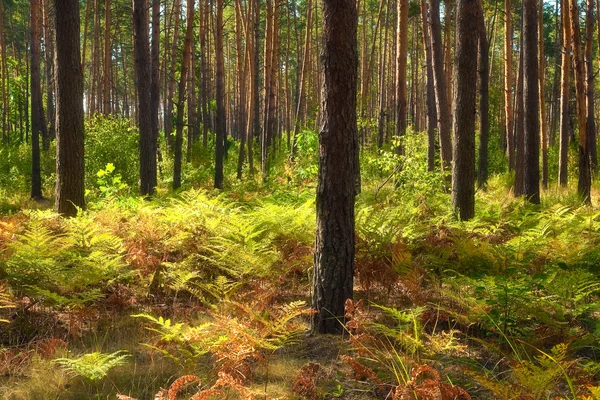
column 207, row 294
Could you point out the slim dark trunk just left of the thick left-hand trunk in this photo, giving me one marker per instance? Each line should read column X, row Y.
column 37, row 119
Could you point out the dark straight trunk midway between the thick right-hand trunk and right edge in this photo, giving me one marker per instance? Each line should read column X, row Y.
column 531, row 111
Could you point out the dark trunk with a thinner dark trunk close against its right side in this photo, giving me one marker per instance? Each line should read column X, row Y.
column 144, row 108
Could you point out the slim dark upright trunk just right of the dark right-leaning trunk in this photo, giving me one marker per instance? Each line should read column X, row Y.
column 220, row 80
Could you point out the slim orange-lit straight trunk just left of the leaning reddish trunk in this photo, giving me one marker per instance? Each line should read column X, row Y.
column 563, row 161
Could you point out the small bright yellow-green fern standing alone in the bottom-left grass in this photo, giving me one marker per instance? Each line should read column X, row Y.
column 93, row 366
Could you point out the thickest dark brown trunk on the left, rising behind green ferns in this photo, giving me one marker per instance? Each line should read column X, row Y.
column 69, row 110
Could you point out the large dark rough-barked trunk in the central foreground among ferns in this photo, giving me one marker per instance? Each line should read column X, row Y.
column 334, row 249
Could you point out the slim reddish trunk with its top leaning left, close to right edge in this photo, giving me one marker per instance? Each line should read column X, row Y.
column 585, row 181
